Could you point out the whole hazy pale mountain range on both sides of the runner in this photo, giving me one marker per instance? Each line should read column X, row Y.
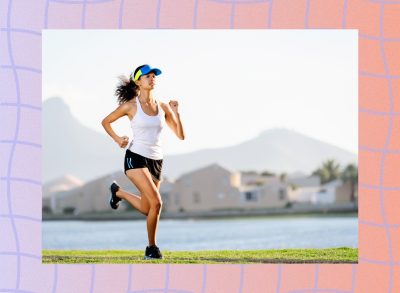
column 69, row 147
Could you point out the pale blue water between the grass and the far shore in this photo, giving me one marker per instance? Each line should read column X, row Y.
column 221, row 234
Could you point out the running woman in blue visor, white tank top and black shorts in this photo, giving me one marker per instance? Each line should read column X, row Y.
column 144, row 156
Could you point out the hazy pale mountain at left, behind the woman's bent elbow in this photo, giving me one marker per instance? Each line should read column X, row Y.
column 69, row 147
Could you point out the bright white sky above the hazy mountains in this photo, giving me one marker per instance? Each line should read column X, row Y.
column 231, row 84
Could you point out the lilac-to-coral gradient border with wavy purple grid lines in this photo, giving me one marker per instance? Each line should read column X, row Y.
column 22, row 21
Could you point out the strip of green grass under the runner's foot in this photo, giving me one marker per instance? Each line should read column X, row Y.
column 329, row 255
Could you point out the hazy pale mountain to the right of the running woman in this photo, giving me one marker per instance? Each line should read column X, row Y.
column 277, row 150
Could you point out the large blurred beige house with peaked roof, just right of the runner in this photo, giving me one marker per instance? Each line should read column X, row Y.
column 216, row 188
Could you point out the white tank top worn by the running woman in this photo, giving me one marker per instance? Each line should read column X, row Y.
column 147, row 133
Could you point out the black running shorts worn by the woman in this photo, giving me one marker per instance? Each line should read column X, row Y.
column 135, row 161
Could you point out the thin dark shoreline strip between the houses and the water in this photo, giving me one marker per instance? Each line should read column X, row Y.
column 301, row 211
